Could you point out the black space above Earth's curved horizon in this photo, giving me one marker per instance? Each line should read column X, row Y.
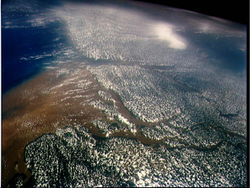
column 234, row 10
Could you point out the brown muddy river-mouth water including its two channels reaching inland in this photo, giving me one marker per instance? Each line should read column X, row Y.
column 54, row 99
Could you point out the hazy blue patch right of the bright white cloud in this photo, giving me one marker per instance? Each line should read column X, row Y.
column 224, row 51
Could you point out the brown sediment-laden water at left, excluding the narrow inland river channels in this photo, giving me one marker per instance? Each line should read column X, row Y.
column 31, row 110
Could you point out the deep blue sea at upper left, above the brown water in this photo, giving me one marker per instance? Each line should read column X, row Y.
column 25, row 47
